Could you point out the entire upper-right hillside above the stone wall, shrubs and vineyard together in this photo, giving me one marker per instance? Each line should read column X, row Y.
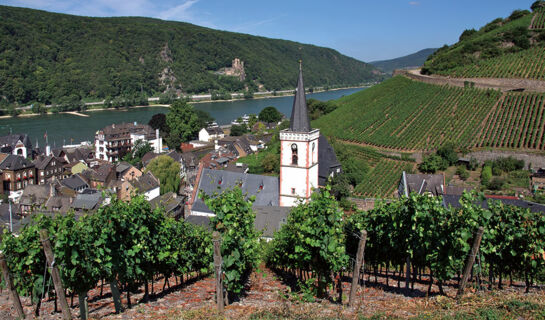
column 513, row 47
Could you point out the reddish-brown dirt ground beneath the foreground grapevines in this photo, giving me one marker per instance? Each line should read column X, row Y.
column 268, row 296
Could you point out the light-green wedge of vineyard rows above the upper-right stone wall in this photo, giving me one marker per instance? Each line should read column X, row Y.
column 526, row 64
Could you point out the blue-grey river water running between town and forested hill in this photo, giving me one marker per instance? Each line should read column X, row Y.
column 69, row 129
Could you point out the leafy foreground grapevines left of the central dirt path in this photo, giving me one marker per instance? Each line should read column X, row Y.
column 128, row 245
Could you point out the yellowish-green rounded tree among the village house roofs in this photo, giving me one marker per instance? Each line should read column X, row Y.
column 167, row 171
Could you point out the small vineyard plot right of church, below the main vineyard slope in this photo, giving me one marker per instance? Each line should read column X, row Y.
column 385, row 171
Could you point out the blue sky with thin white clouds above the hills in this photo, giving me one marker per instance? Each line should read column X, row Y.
column 367, row 30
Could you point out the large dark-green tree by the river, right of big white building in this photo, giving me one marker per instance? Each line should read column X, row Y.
column 183, row 124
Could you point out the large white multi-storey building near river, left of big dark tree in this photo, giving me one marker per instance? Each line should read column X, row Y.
column 116, row 140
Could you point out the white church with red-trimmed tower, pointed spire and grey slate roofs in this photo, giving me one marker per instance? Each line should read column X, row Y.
column 306, row 162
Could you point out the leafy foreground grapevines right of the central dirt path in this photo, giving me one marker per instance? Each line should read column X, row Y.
column 416, row 234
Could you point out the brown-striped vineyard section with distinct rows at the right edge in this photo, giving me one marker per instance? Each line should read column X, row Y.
column 518, row 121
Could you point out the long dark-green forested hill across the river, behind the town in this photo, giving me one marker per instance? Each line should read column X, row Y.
column 46, row 56
